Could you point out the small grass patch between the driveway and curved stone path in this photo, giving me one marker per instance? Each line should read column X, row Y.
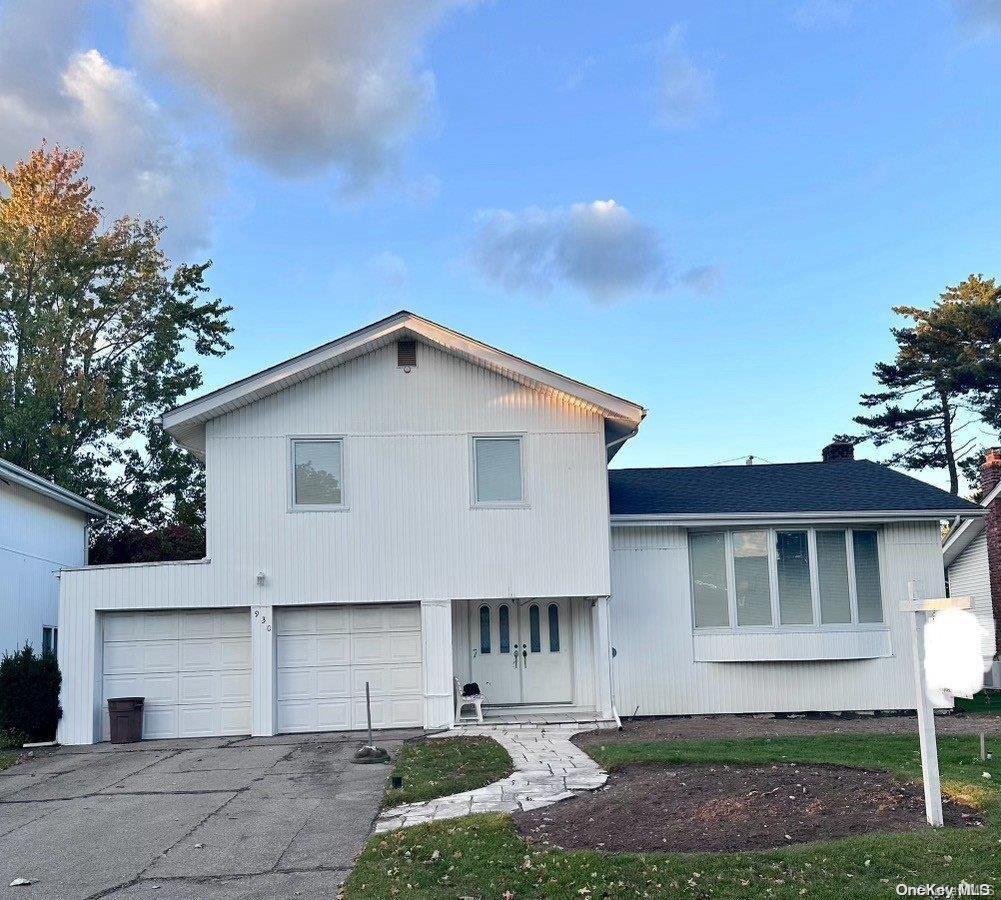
column 444, row 766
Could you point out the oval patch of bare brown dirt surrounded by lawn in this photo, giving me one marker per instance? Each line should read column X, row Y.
column 719, row 808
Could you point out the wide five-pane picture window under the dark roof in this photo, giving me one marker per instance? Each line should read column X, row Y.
column 785, row 578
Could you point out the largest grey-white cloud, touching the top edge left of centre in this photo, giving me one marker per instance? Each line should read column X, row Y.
column 305, row 85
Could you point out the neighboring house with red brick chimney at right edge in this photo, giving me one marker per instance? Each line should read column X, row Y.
column 972, row 556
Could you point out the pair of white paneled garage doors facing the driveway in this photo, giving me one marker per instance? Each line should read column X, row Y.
column 195, row 668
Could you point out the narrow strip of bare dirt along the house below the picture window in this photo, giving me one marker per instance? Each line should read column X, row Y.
column 709, row 728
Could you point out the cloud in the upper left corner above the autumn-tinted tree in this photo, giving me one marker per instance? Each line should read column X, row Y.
column 51, row 91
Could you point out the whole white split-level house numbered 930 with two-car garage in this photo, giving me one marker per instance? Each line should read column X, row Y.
column 406, row 506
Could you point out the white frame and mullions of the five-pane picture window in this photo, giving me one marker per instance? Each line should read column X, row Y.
column 773, row 570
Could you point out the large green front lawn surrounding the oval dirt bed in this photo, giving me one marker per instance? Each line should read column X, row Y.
column 483, row 856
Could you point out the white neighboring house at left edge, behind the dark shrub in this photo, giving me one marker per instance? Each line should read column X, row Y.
column 43, row 529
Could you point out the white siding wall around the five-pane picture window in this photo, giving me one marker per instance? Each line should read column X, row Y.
column 656, row 672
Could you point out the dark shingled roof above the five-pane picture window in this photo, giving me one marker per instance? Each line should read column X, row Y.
column 856, row 486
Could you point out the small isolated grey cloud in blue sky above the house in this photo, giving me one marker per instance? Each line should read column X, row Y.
column 600, row 249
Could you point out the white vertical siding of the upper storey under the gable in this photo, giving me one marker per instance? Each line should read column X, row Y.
column 409, row 532
